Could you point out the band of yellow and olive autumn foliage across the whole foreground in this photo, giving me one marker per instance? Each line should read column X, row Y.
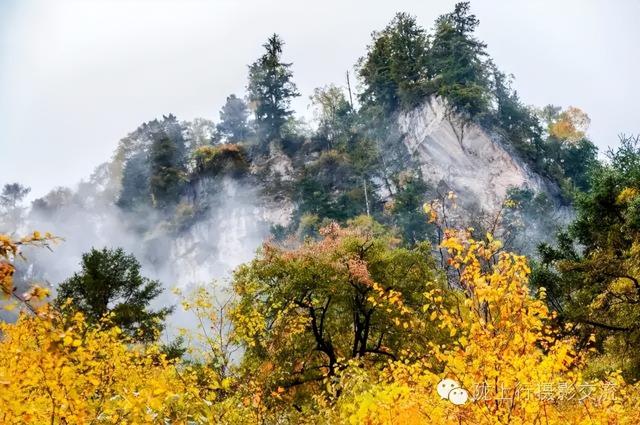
column 490, row 334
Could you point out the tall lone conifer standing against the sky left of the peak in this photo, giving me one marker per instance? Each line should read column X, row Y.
column 271, row 90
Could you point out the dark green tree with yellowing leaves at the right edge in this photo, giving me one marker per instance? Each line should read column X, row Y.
column 592, row 271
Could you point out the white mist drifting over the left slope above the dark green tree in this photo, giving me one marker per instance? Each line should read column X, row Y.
column 227, row 234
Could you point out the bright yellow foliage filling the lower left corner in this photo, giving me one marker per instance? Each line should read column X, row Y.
column 58, row 369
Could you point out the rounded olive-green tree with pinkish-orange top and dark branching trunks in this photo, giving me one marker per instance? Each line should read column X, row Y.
column 314, row 308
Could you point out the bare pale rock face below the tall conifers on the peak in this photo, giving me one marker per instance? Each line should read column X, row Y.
column 470, row 161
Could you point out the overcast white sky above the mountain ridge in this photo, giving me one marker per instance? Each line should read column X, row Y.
column 78, row 75
